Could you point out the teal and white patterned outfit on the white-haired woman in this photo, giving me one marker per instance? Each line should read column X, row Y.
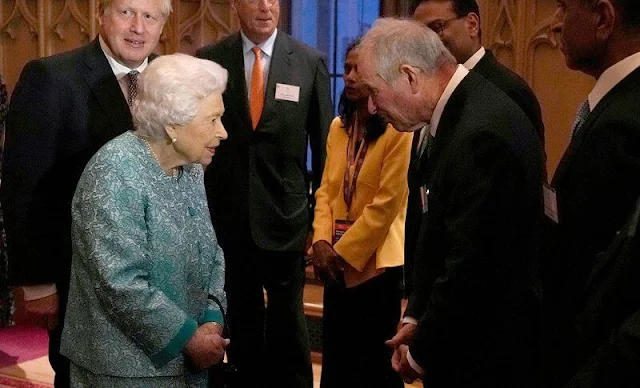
column 145, row 259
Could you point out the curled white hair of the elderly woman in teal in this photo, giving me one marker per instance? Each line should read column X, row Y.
column 170, row 90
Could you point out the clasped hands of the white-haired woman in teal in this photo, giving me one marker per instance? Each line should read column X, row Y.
column 206, row 347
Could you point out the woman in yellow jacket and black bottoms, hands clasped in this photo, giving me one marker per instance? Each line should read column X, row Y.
column 358, row 241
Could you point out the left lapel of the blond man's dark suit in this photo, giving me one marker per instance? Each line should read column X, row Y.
column 105, row 88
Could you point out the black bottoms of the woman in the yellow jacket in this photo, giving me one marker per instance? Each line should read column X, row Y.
column 356, row 323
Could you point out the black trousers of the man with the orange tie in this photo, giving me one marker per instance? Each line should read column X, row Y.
column 269, row 344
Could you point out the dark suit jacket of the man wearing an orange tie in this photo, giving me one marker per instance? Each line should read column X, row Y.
column 257, row 184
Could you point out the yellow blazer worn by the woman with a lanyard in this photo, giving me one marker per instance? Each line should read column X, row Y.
column 376, row 240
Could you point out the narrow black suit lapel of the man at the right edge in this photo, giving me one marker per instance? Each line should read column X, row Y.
column 576, row 142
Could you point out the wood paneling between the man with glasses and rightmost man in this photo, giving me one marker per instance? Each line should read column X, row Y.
column 519, row 32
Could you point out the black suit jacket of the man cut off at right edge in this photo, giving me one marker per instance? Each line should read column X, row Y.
column 596, row 183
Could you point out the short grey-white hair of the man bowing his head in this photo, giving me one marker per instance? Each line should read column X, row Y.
column 395, row 42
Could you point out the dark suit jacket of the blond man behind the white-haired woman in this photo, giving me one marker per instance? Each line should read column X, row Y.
column 63, row 109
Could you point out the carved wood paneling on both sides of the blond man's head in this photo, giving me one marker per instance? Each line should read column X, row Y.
column 35, row 28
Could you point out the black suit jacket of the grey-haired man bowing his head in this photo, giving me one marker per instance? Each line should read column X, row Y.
column 474, row 284
